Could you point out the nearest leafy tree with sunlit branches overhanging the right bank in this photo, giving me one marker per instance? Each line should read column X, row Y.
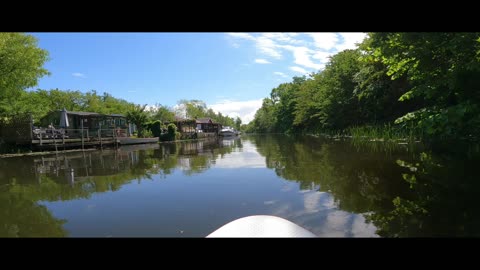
column 443, row 70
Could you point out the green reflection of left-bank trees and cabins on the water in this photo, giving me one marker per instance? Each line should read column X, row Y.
column 28, row 180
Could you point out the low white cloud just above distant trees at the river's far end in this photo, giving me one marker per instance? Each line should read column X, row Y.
column 243, row 109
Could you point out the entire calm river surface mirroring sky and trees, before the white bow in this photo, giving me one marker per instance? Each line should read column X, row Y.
column 333, row 188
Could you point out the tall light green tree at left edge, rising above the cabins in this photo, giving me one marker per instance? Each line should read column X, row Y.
column 21, row 65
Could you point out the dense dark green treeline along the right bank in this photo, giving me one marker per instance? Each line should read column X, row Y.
column 427, row 83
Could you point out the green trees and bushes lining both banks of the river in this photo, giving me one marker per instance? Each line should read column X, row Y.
column 394, row 87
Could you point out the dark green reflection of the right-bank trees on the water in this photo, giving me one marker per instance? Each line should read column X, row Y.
column 403, row 193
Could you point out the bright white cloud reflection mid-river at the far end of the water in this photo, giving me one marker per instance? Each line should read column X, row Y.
column 248, row 158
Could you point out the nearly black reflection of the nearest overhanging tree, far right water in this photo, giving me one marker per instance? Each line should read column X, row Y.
column 443, row 201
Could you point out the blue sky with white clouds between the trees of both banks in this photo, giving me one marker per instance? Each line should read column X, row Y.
column 231, row 72
